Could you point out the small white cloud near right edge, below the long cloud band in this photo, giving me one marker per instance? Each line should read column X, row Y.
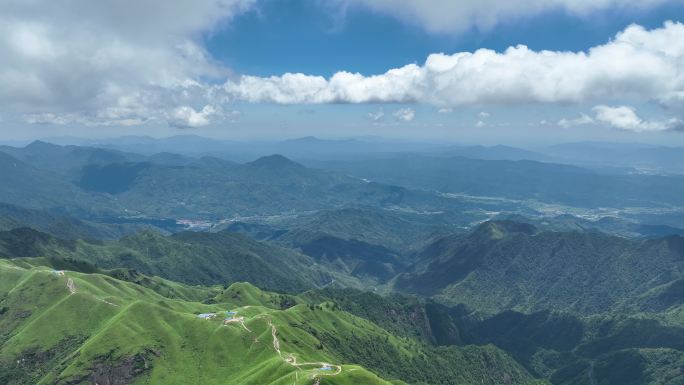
column 626, row 118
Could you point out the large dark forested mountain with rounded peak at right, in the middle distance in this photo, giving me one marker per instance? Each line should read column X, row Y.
column 509, row 265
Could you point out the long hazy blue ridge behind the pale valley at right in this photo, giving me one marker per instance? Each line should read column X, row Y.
column 523, row 180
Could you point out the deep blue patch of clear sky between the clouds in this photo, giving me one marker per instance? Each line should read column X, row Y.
column 303, row 36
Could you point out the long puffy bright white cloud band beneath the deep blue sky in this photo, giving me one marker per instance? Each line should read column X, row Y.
column 637, row 64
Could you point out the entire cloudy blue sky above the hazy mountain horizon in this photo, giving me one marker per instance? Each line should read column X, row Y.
column 413, row 69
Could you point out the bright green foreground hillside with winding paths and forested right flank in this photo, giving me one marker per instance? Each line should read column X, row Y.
column 65, row 327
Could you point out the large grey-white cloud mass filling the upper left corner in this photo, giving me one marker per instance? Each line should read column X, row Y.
column 107, row 62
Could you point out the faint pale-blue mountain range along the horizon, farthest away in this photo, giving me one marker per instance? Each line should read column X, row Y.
column 625, row 157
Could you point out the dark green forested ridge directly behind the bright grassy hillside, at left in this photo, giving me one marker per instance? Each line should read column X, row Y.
column 194, row 258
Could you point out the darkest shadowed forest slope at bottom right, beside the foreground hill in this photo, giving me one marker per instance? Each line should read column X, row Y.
column 622, row 347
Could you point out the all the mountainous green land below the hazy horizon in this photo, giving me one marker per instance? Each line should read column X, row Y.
column 336, row 279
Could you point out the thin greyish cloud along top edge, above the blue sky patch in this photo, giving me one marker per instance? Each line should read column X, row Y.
column 448, row 16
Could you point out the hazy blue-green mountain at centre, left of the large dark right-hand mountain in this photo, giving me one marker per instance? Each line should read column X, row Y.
column 361, row 241
